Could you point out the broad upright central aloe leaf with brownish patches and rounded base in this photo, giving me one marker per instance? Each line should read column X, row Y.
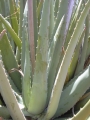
column 39, row 84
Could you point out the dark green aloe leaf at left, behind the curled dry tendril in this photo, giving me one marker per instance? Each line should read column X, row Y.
column 9, row 60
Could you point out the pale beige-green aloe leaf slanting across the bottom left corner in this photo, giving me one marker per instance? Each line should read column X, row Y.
column 8, row 96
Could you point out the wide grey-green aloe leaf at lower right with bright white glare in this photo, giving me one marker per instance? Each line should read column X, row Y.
column 73, row 92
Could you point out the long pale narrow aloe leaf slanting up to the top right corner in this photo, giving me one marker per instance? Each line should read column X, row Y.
column 61, row 75
